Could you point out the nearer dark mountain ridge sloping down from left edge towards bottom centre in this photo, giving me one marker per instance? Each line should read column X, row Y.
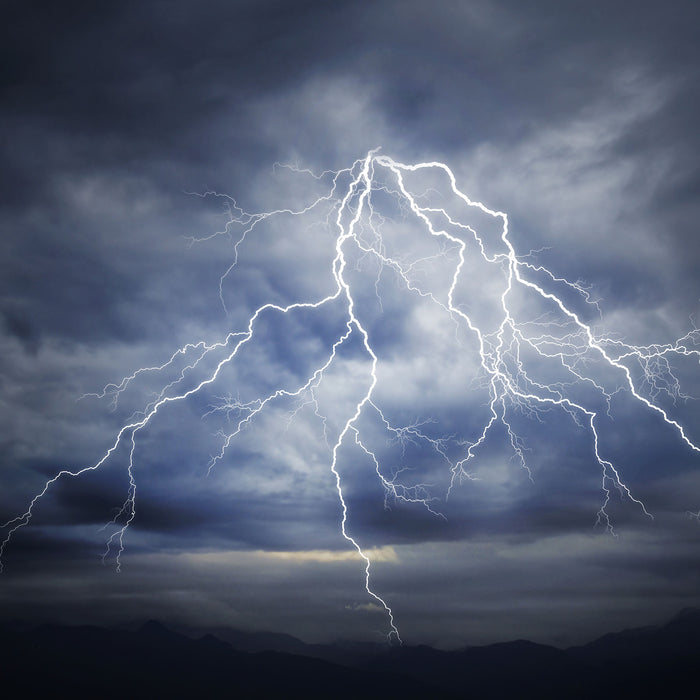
column 153, row 661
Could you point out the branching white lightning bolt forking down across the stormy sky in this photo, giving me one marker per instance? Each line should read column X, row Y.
column 510, row 345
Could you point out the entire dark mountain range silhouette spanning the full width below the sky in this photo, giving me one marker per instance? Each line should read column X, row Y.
column 152, row 661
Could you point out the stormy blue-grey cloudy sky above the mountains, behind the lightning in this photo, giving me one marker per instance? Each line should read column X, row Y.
column 136, row 132
